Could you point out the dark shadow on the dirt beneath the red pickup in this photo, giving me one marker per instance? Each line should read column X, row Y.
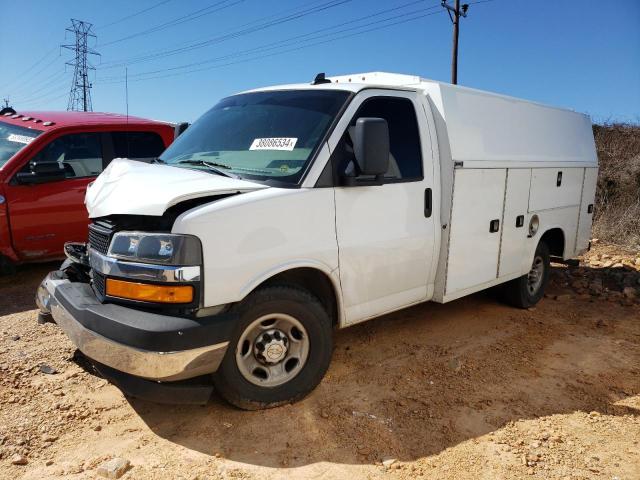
column 17, row 291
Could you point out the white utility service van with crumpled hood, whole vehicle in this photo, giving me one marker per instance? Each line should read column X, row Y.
column 286, row 211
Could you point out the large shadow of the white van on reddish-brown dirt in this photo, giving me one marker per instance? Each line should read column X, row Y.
column 415, row 382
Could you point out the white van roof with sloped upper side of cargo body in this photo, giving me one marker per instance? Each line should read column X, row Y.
column 485, row 126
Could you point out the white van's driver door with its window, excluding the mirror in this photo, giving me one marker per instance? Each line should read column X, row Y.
column 385, row 234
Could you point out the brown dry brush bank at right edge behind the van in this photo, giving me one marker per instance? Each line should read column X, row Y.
column 617, row 214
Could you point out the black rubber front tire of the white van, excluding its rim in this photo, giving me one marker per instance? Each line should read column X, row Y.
column 231, row 383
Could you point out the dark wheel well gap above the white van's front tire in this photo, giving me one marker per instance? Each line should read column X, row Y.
column 312, row 280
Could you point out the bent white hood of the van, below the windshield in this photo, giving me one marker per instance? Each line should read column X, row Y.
column 136, row 188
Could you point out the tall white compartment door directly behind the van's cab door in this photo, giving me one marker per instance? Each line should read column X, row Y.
column 478, row 197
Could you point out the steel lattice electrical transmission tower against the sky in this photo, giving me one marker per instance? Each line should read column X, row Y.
column 80, row 94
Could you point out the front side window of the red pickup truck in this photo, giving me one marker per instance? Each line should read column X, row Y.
column 78, row 154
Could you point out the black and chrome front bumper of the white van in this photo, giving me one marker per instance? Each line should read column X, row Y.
column 143, row 344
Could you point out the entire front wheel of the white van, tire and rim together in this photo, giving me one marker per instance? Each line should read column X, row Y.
column 279, row 351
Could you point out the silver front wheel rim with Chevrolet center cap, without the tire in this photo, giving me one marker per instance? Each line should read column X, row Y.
column 272, row 350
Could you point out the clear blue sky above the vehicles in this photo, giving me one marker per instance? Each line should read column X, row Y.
column 580, row 54
